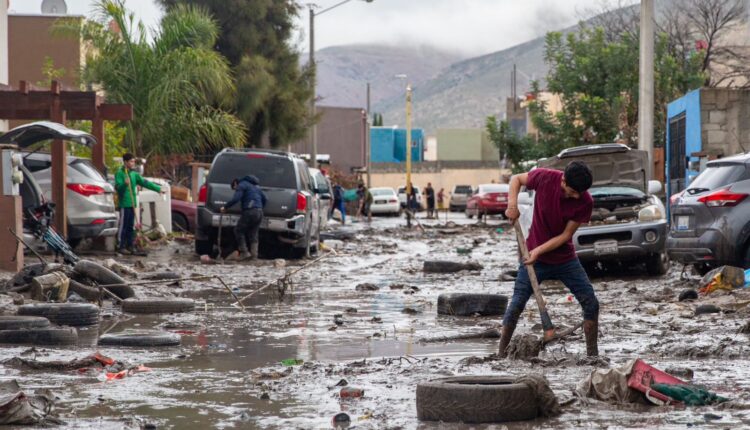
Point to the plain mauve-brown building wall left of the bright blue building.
(341, 134)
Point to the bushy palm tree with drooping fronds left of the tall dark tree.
(178, 85)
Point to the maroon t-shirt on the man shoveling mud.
(552, 211)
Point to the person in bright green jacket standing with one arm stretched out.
(127, 182)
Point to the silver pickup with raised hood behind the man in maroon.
(628, 223)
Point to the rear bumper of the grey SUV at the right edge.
(711, 247)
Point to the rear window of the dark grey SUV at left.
(272, 171)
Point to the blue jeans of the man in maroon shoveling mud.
(571, 274)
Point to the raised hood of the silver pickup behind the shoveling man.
(611, 164)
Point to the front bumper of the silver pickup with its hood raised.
(630, 237)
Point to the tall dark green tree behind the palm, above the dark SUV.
(273, 93)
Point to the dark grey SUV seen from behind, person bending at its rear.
(290, 217)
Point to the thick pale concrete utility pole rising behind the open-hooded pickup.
(646, 92)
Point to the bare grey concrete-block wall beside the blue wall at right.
(725, 121)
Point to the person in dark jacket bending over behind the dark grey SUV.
(248, 193)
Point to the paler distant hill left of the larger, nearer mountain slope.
(343, 72)
